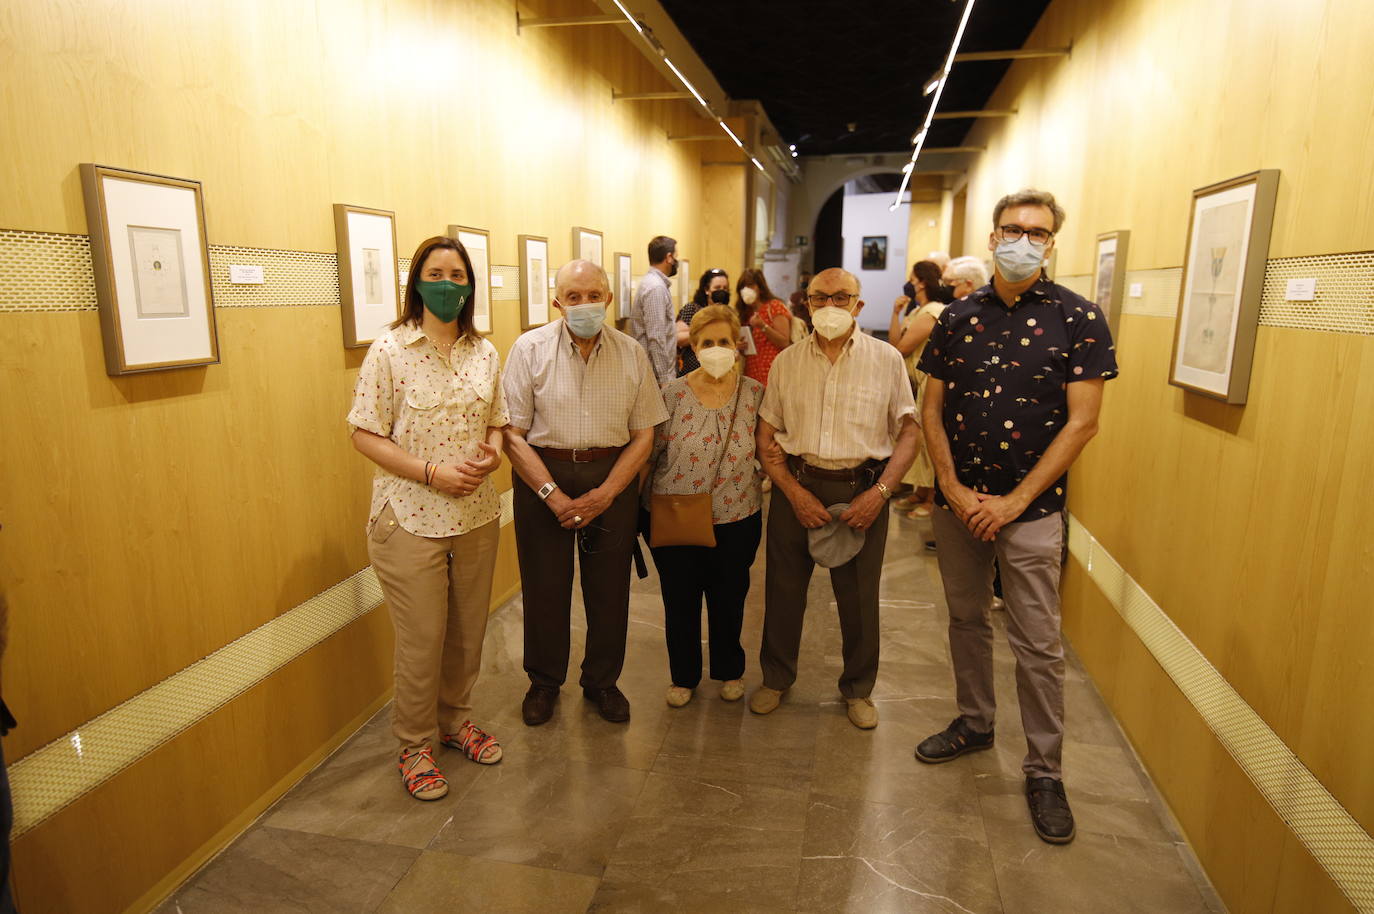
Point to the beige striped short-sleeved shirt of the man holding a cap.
(839, 416)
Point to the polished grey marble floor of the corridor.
(711, 809)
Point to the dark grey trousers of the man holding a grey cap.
(855, 583)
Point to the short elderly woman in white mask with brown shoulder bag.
(707, 449)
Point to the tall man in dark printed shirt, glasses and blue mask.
(1016, 383)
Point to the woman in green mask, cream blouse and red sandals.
(428, 410)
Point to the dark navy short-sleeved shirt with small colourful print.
(1006, 372)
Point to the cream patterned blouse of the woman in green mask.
(439, 410)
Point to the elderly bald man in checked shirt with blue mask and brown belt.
(583, 402)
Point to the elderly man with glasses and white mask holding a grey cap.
(836, 428)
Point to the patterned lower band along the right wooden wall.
(1317, 818)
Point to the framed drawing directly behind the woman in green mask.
(369, 285)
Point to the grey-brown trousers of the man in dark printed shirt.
(1028, 556)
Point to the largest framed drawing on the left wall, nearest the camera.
(152, 266)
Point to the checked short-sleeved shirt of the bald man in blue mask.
(568, 403)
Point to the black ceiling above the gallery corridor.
(821, 65)
